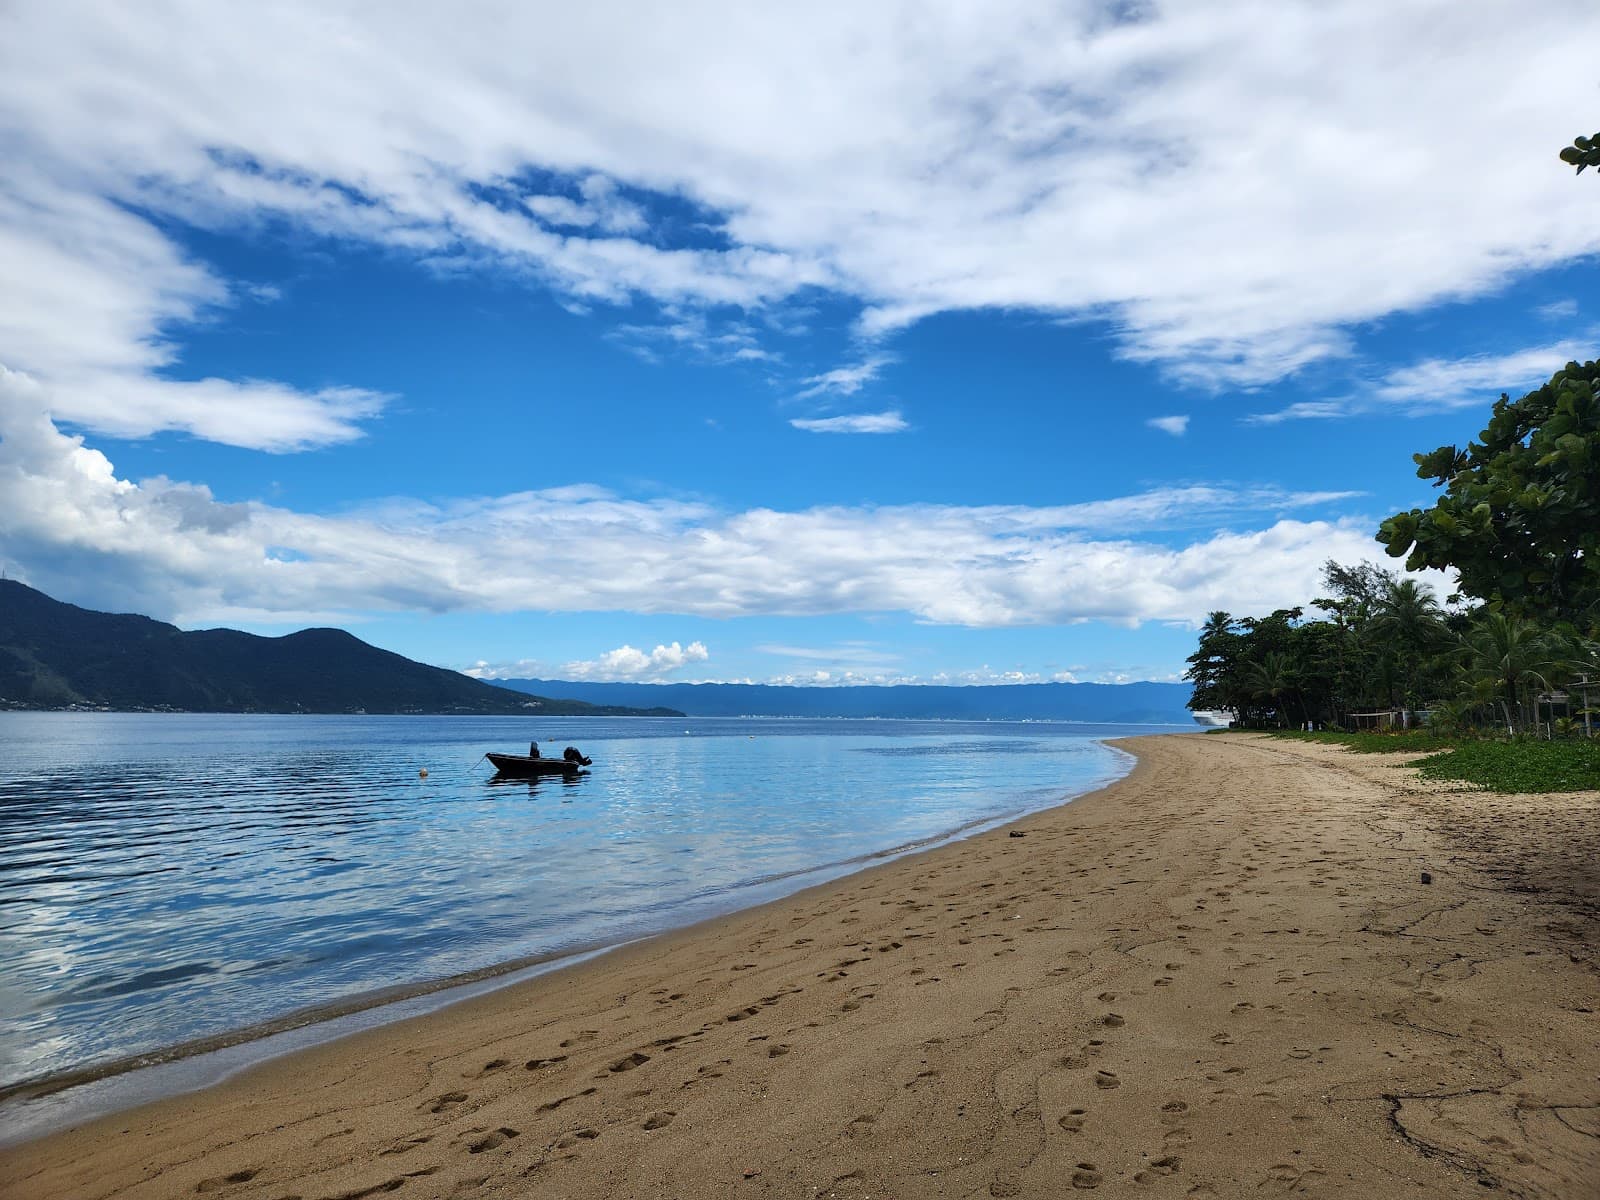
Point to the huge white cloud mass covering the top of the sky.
(1231, 188)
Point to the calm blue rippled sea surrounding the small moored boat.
(174, 878)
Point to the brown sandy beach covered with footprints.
(1249, 969)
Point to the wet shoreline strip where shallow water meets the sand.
(330, 1022)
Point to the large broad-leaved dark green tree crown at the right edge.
(1521, 516)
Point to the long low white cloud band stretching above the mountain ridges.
(172, 550)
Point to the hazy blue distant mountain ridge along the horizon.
(1114, 703)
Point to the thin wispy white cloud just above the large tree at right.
(1444, 385)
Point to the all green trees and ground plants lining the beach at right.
(1503, 678)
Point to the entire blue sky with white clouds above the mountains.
(924, 343)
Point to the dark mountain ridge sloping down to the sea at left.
(57, 655)
